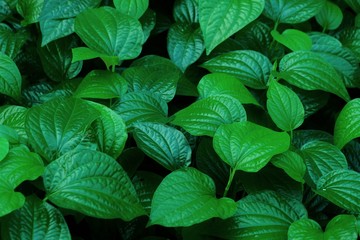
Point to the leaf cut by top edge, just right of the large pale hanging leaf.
(292, 11)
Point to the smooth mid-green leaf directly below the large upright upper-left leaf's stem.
(102, 85)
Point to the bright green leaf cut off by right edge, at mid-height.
(347, 126)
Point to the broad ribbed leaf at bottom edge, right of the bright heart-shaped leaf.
(263, 215)
